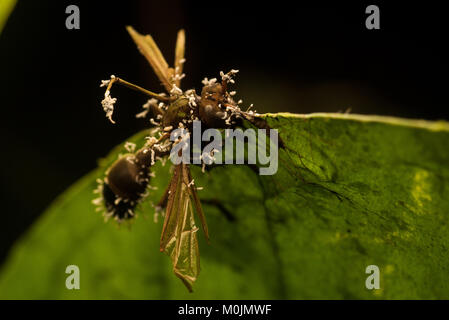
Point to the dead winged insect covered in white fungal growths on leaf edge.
(127, 180)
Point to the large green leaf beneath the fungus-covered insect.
(351, 191)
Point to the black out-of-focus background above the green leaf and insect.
(298, 58)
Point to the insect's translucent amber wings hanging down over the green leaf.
(179, 232)
